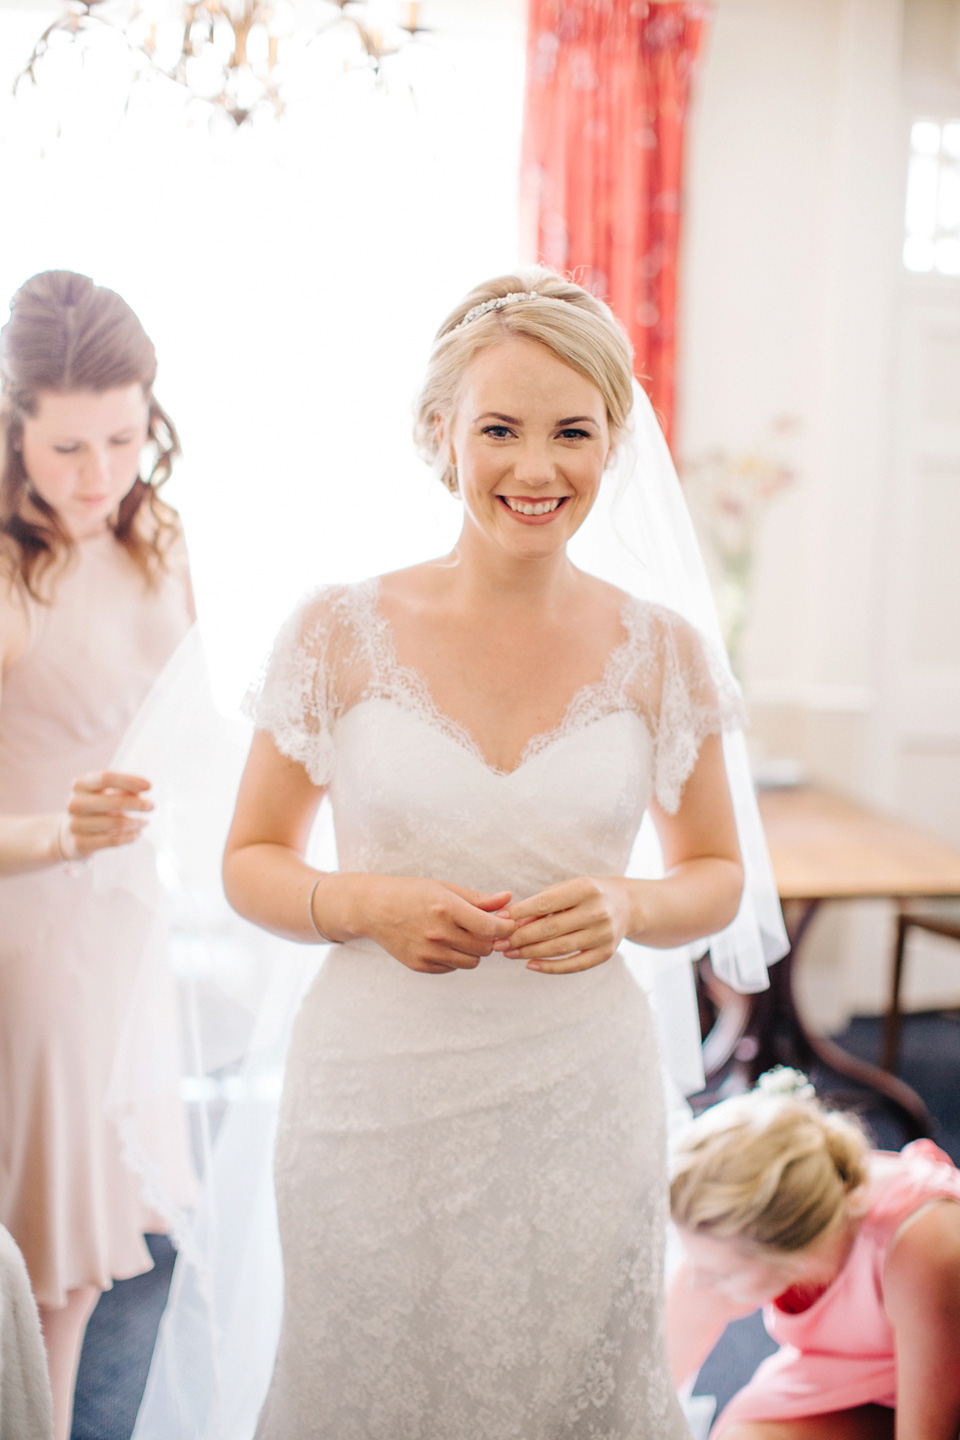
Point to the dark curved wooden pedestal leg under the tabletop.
(776, 1035)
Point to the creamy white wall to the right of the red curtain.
(794, 302)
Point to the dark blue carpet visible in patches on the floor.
(123, 1330)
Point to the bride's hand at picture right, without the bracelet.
(572, 927)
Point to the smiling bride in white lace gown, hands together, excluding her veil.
(470, 1160)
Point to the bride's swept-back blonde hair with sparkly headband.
(571, 322)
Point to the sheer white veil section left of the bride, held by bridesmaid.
(215, 1000)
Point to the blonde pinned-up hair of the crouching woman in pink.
(768, 1171)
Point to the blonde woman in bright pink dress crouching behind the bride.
(853, 1254)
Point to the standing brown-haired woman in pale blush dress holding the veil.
(94, 600)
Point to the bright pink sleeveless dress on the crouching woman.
(840, 1353)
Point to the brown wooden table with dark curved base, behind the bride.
(828, 847)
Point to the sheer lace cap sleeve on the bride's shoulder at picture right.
(689, 695)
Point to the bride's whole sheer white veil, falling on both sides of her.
(237, 990)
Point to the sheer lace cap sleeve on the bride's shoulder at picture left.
(322, 663)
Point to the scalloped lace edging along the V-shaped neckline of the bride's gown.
(415, 682)
